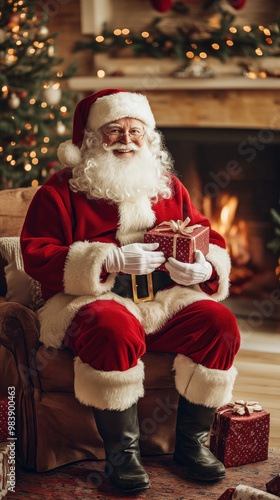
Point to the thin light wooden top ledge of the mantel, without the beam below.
(158, 82)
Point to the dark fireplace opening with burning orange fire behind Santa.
(233, 177)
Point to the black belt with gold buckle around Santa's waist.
(137, 287)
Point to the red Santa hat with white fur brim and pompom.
(100, 108)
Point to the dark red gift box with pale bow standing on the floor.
(240, 433)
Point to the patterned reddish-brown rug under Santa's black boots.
(85, 480)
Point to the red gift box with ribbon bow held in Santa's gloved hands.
(179, 240)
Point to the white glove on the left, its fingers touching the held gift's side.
(136, 258)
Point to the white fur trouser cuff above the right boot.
(201, 385)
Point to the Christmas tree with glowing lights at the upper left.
(36, 110)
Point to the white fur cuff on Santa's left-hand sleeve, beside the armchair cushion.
(83, 268)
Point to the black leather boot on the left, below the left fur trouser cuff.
(120, 433)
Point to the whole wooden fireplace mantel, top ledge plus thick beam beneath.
(235, 102)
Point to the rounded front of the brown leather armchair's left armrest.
(19, 341)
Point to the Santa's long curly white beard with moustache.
(103, 175)
